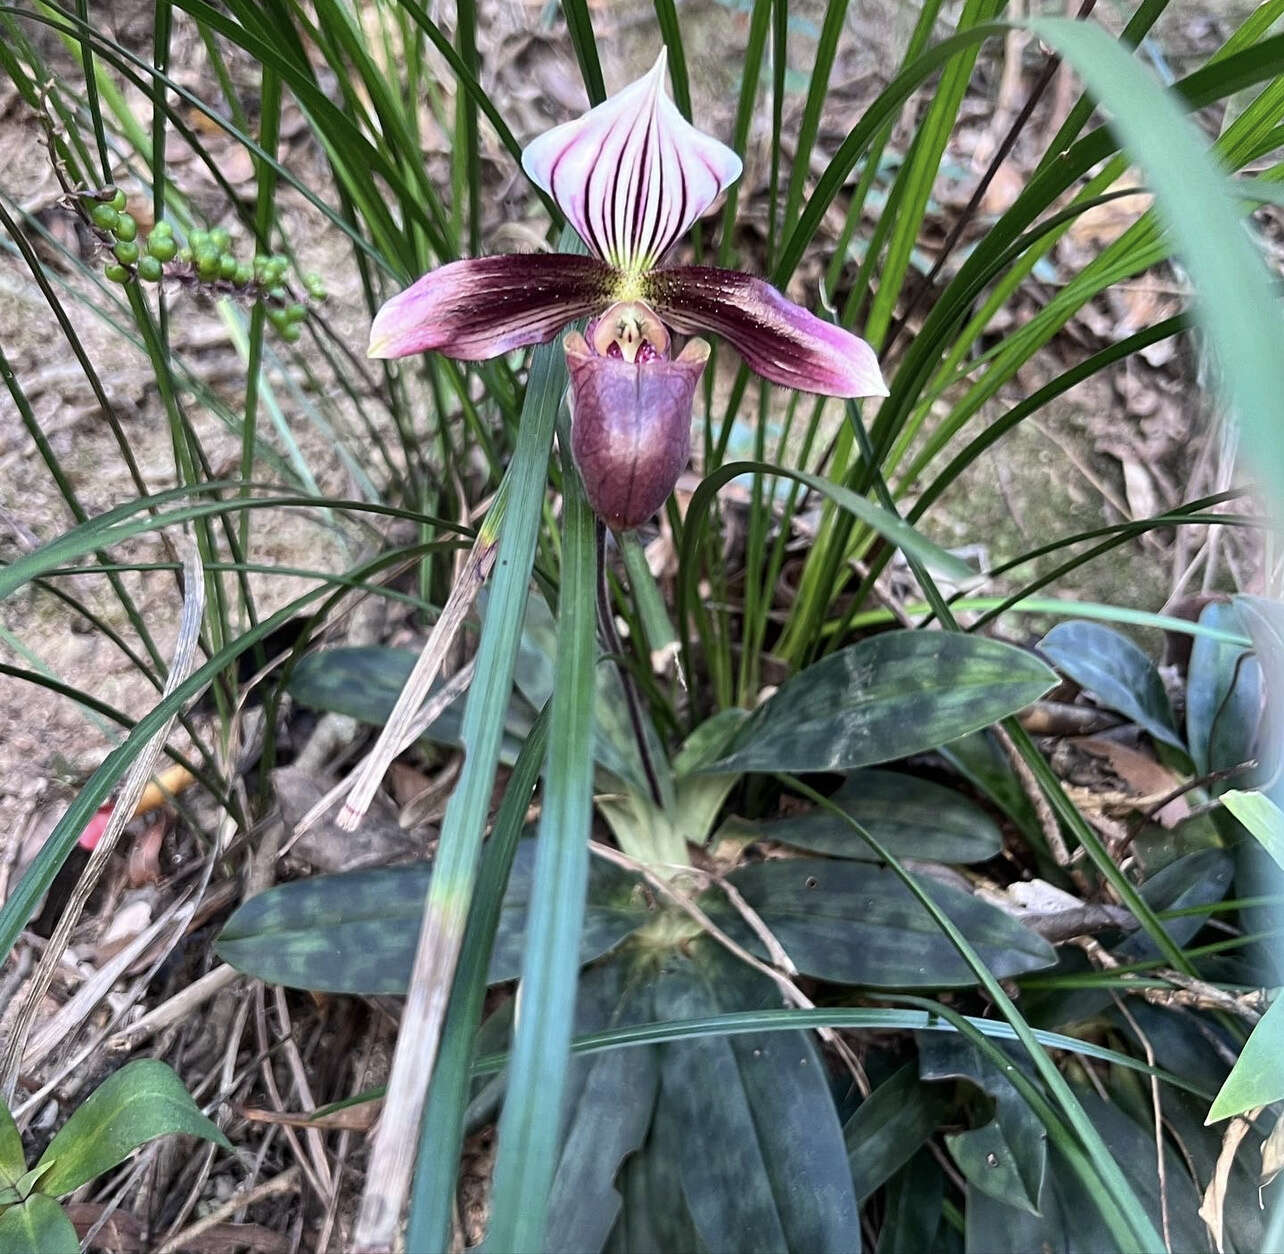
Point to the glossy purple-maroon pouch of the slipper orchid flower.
(631, 428)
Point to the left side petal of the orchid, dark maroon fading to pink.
(480, 309)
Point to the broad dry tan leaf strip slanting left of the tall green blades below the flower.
(367, 780)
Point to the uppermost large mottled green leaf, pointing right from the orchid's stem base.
(887, 698)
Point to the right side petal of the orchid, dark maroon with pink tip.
(777, 338)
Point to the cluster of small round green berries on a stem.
(206, 259)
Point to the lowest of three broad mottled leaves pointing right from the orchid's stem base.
(855, 923)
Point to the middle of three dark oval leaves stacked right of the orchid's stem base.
(915, 818)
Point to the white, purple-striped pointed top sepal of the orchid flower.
(634, 174)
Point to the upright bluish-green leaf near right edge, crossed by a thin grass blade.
(1224, 695)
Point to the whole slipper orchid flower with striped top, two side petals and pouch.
(632, 176)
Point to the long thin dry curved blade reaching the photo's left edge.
(137, 780)
